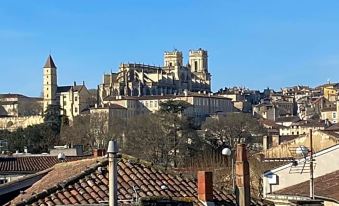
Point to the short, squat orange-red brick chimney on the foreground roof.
(205, 186)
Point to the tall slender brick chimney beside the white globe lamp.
(242, 176)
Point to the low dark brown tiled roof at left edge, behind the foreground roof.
(30, 164)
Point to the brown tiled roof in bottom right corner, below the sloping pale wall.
(325, 186)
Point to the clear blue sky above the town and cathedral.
(253, 43)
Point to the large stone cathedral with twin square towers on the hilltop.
(172, 78)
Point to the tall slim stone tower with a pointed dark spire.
(50, 83)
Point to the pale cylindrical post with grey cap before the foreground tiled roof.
(112, 152)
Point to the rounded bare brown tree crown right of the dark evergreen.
(231, 129)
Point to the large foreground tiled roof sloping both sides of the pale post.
(89, 185)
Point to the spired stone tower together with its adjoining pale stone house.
(71, 99)
